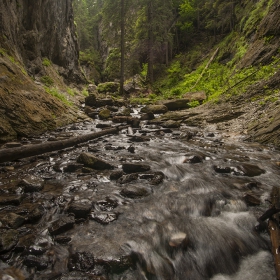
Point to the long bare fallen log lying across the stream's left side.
(11, 154)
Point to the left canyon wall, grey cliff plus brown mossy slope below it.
(31, 32)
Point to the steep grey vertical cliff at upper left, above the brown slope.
(32, 30)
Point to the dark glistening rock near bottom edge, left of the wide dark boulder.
(81, 261)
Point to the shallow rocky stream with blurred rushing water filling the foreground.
(176, 204)
